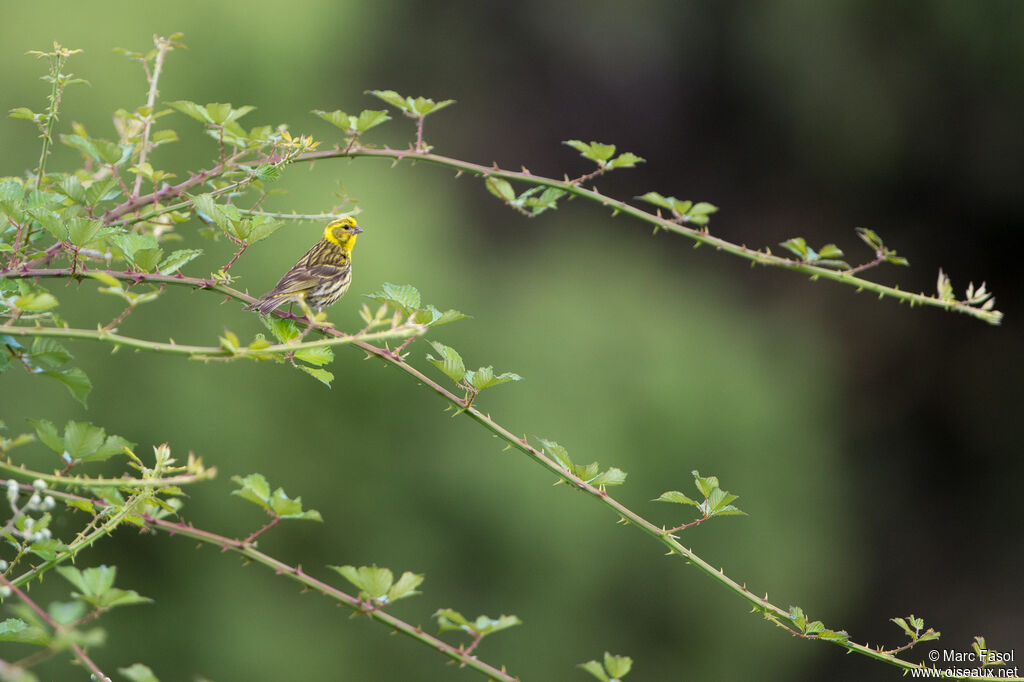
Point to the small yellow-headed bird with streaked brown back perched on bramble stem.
(321, 277)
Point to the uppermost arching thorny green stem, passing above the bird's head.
(755, 257)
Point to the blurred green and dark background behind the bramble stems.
(876, 449)
